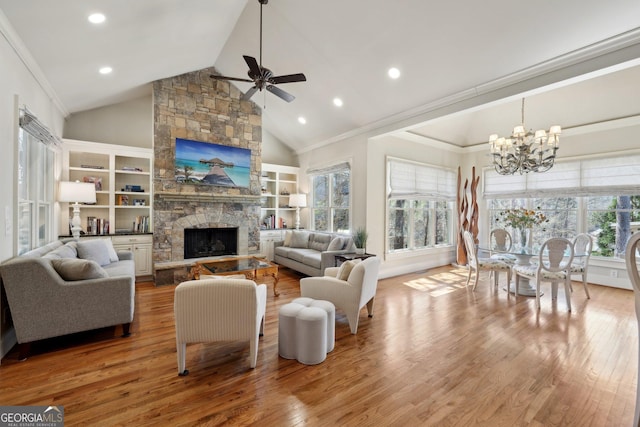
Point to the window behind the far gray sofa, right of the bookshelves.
(331, 201)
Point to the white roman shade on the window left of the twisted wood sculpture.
(411, 180)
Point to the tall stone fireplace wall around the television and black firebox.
(194, 106)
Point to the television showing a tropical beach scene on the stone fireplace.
(212, 164)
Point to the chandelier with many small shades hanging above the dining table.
(525, 151)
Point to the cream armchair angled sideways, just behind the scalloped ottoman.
(347, 295)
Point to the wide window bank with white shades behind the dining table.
(595, 196)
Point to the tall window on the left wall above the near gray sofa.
(35, 192)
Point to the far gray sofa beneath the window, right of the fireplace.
(310, 252)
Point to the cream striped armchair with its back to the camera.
(219, 310)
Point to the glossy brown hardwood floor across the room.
(435, 353)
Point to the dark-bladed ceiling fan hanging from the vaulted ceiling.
(262, 77)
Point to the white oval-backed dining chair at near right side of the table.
(554, 265)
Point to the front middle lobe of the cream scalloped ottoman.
(311, 335)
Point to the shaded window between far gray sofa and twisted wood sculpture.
(420, 206)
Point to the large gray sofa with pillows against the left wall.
(60, 289)
